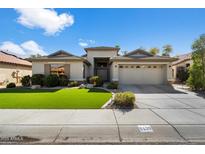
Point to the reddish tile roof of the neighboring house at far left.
(12, 59)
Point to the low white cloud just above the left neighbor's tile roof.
(22, 50)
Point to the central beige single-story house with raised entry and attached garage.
(136, 67)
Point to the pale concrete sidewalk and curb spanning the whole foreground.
(168, 126)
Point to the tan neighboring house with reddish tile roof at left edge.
(13, 68)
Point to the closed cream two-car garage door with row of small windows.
(141, 74)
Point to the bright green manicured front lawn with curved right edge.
(53, 99)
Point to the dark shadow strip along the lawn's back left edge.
(27, 90)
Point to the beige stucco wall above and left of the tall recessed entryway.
(101, 54)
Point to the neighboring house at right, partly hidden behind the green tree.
(183, 63)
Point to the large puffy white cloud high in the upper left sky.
(47, 19)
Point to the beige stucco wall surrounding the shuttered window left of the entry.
(76, 69)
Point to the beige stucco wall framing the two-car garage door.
(166, 68)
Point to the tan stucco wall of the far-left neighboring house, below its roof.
(6, 71)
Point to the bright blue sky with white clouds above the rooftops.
(130, 28)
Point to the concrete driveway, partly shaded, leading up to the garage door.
(164, 97)
